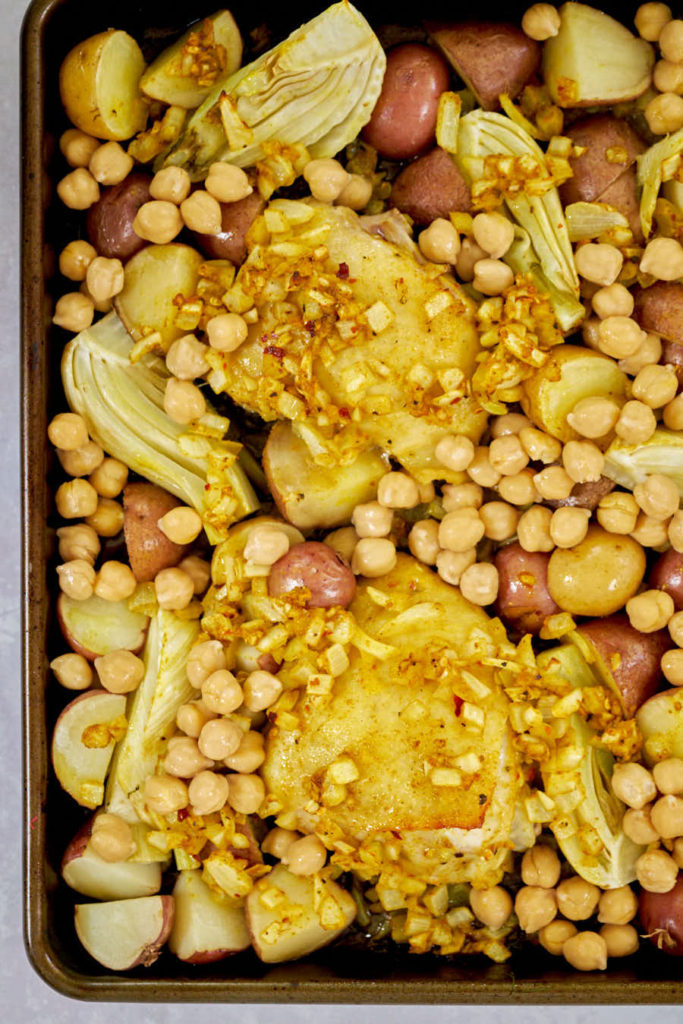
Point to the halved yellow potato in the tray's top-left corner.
(100, 86)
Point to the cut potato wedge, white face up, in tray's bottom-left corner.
(125, 933)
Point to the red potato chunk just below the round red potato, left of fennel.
(432, 187)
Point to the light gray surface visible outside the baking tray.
(23, 996)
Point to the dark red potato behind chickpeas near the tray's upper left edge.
(110, 224)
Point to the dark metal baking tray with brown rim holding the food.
(347, 973)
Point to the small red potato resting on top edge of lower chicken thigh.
(318, 568)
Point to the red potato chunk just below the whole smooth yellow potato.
(633, 658)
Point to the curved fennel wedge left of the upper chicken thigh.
(123, 406)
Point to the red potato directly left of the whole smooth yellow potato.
(524, 601)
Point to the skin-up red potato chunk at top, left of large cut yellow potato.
(491, 58)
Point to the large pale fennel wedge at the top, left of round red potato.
(318, 89)
